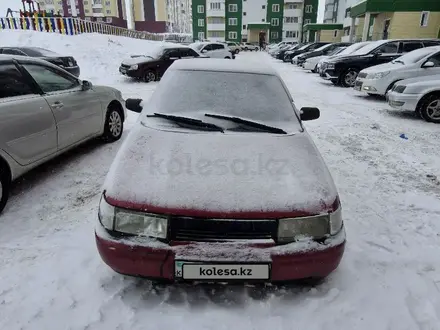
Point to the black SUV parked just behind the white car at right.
(343, 70)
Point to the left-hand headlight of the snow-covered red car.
(132, 222)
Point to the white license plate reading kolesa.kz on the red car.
(221, 271)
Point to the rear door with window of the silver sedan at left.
(28, 131)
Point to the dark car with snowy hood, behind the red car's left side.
(151, 67)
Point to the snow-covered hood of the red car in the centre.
(220, 173)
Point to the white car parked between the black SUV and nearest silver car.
(381, 78)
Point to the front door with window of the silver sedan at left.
(78, 113)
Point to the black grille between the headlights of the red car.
(208, 230)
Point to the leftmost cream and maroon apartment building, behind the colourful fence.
(108, 11)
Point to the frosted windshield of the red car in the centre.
(256, 97)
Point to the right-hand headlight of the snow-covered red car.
(316, 227)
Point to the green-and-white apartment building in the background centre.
(244, 20)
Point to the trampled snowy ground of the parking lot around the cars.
(51, 276)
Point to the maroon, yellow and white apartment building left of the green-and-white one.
(160, 16)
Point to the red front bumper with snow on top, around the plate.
(156, 260)
